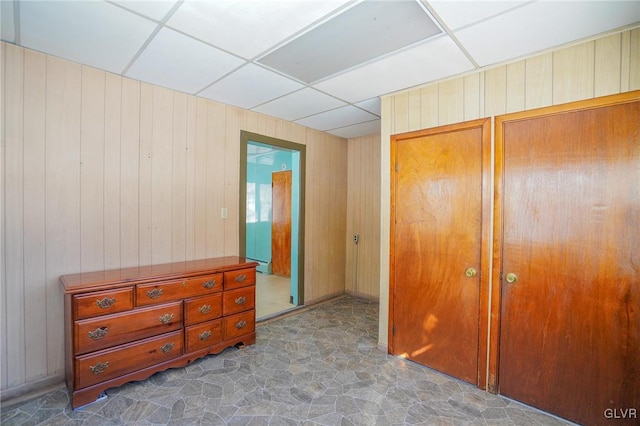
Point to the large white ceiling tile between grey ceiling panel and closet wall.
(427, 62)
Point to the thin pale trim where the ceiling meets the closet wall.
(635, 25)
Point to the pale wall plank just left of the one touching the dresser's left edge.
(34, 208)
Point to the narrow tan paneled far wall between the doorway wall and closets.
(363, 217)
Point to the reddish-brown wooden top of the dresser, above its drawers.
(113, 278)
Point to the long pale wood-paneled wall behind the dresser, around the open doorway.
(101, 171)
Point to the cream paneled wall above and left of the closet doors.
(607, 65)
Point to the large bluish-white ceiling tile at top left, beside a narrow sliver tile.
(93, 33)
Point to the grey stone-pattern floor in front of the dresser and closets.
(320, 366)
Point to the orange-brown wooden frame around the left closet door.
(485, 243)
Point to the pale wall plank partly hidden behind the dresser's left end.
(63, 115)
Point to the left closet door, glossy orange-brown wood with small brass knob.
(436, 249)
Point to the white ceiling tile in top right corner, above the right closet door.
(543, 25)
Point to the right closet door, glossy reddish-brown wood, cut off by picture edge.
(570, 320)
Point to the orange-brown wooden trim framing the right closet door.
(498, 206)
